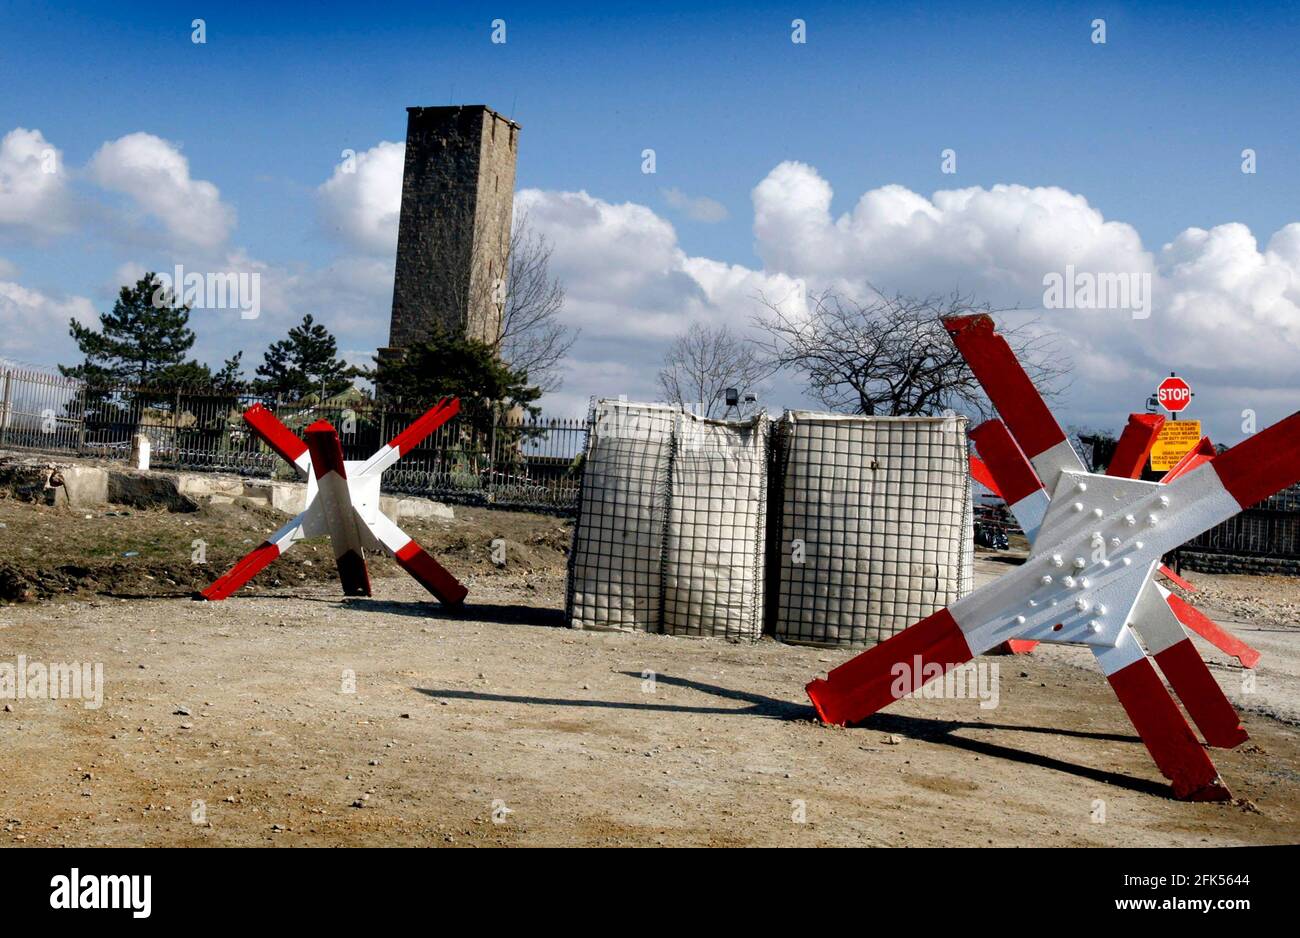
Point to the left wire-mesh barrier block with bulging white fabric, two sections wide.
(671, 524)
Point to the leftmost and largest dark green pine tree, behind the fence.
(144, 341)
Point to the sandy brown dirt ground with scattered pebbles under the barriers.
(292, 716)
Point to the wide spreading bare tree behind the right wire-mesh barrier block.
(892, 357)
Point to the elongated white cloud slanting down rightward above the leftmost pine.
(157, 177)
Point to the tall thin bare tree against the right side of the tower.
(531, 337)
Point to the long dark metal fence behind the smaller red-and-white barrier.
(480, 457)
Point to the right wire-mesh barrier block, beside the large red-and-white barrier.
(876, 528)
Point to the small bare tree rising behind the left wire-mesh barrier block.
(704, 362)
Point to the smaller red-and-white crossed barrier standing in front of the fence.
(344, 503)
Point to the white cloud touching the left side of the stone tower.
(361, 203)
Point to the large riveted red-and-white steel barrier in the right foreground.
(1090, 575)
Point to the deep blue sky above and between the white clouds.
(1147, 128)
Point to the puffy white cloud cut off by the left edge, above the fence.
(34, 197)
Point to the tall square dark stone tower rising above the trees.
(458, 194)
